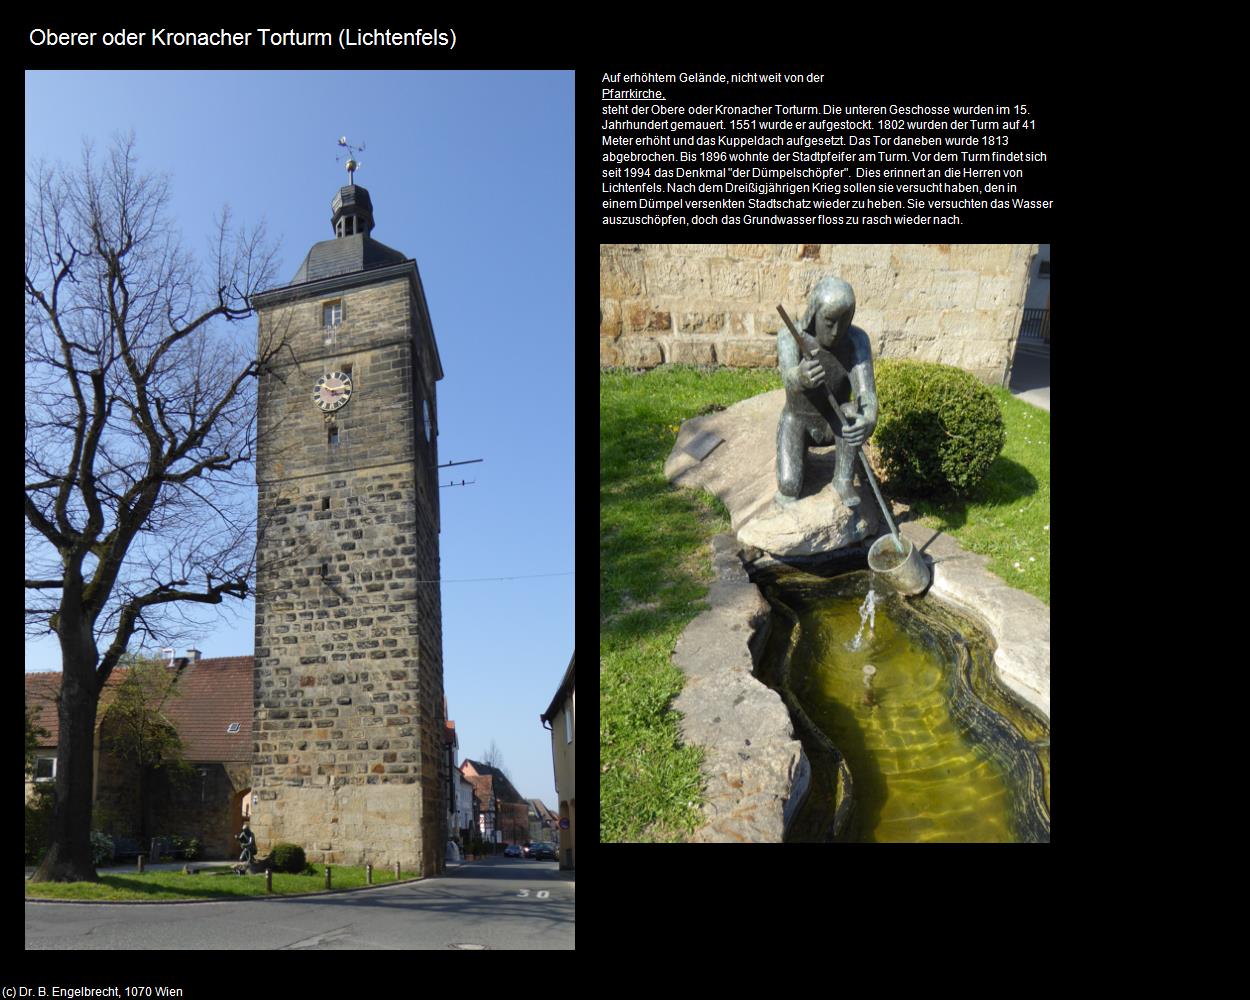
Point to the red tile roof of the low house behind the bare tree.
(213, 694)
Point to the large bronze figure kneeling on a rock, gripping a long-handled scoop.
(843, 363)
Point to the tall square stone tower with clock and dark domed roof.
(349, 642)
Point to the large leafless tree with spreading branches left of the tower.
(139, 438)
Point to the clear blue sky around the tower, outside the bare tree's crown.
(472, 176)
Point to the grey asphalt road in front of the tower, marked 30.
(504, 903)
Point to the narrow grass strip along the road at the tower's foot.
(157, 887)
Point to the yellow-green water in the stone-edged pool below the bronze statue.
(929, 762)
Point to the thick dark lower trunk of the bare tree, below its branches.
(69, 859)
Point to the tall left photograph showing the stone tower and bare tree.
(274, 326)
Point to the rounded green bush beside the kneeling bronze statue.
(939, 432)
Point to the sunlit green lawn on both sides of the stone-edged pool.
(656, 569)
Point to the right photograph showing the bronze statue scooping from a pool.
(826, 543)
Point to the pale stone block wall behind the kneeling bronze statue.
(704, 304)
